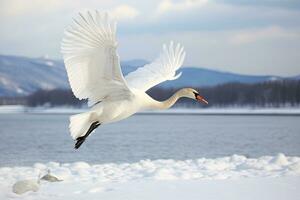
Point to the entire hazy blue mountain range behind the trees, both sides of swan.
(22, 76)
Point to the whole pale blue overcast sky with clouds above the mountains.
(244, 36)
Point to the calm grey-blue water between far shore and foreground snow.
(31, 138)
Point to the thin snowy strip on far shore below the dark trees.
(203, 111)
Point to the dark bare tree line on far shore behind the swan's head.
(265, 94)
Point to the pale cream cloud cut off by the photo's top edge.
(169, 5)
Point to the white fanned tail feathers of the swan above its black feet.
(79, 124)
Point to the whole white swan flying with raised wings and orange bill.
(89, 49)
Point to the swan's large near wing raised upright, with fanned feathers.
(90, 56)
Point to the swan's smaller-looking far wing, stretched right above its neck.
(162, 69)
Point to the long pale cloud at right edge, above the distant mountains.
(267, 33)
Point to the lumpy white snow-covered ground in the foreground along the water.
(234, 177)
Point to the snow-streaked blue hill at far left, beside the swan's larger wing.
(22, 76)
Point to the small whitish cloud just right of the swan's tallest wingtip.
(124, 12)
